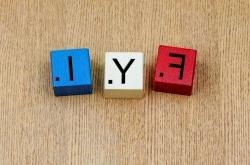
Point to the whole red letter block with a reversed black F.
(174, 70)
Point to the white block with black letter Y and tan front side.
(123, 75)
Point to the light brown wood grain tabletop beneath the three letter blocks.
(210, 127)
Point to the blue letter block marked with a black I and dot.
(71, 72)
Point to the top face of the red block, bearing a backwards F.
(175, 65)
